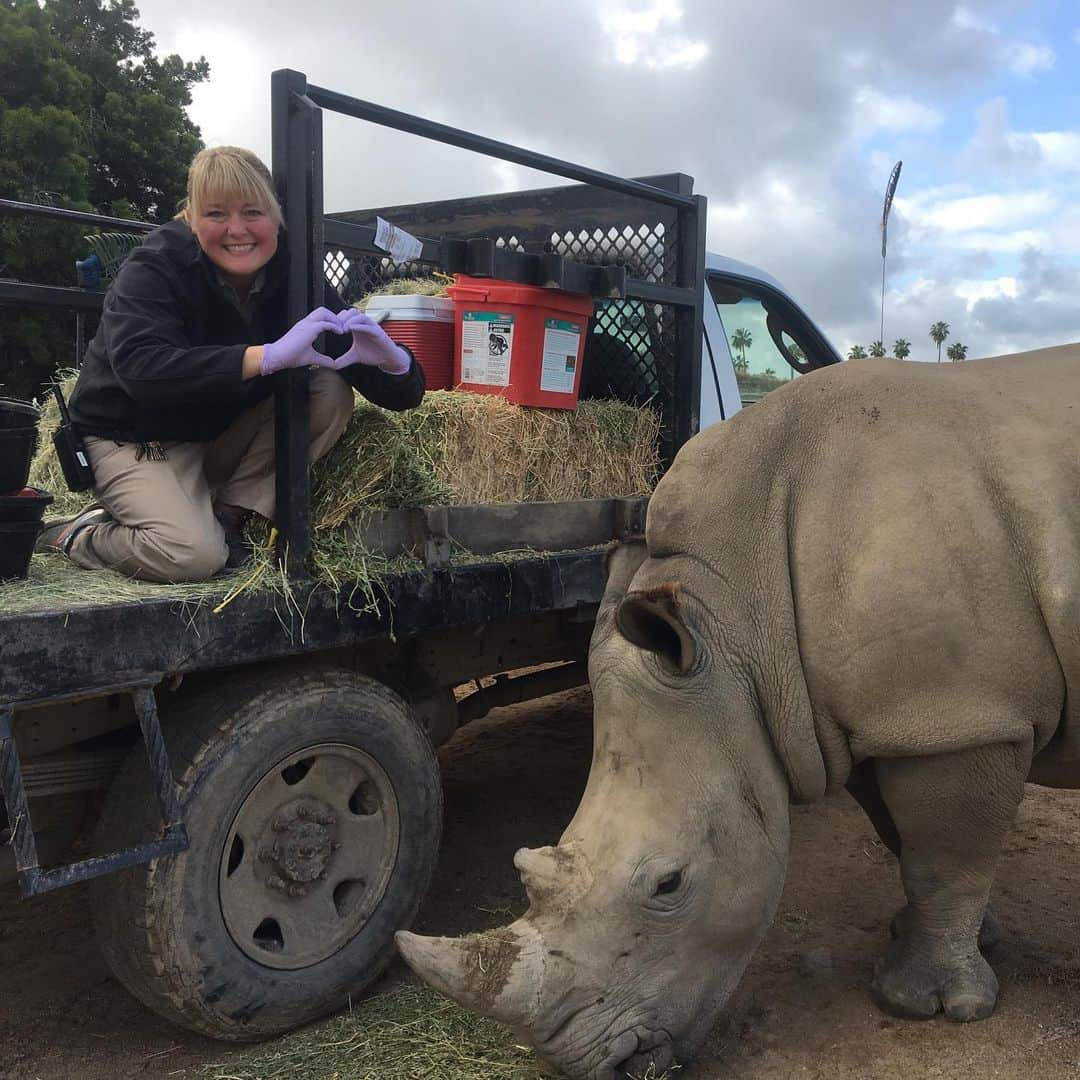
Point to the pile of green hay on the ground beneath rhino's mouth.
(408, 1034)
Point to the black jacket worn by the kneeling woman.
(166, 364)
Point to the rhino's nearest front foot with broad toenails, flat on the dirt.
(921, 977)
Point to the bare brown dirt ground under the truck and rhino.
(803, 1009)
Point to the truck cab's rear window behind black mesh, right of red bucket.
(619, 360)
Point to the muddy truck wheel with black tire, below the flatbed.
(288, 899)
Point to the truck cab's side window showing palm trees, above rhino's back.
(768, 347)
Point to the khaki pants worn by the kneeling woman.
(164, 526)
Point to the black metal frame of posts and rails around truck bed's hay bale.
(296, 127)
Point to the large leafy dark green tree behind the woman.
(90, 119)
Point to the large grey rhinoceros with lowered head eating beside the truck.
(871, 578)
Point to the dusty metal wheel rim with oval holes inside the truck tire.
(309, 856)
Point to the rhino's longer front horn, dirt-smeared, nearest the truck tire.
(498, 974)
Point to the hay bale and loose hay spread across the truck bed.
(455, 449)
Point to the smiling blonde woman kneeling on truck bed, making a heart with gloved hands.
(174, 399)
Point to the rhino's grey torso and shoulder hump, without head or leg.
(925, 521)
